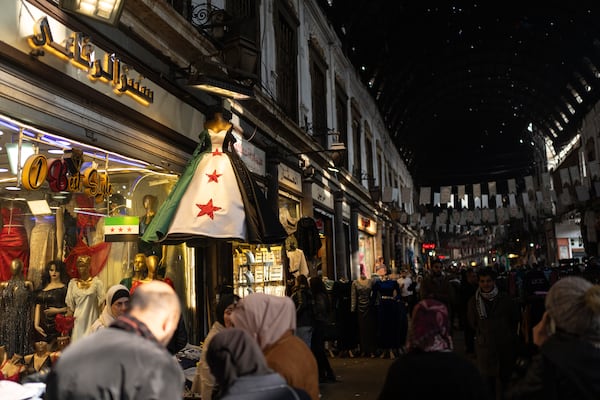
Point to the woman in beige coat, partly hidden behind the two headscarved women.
(204, 381)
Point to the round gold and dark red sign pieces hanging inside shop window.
(66, 174)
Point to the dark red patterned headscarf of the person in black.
(430, 327)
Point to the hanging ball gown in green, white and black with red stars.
(215, 198)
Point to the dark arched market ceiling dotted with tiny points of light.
(458, 82)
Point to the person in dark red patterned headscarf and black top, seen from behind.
(431, 366)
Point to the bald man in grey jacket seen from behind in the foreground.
(127, 360)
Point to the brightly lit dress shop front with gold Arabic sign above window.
(95, 148)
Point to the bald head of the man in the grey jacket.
(156, 304)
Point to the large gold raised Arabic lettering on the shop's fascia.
(80, 51)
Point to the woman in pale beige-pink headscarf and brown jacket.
(271, 320)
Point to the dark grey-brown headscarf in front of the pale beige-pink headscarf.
(233, 353)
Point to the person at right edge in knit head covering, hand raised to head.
(567, 365)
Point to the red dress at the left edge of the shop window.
(13, 241)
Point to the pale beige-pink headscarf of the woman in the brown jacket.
(265, 317)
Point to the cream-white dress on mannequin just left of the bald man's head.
(85, 304)
